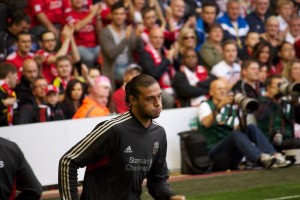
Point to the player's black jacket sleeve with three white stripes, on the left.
(84, 152)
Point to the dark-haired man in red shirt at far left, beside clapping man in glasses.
(22, 53)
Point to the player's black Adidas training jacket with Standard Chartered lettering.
(118, 154)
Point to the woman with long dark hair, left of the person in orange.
(74, 95)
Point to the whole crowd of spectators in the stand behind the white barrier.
(64, 59)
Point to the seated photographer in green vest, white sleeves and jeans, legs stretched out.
(226, 144)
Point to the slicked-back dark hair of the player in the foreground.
(132, 86)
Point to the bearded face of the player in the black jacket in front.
(148, 104)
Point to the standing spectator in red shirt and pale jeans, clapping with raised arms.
(87, 25)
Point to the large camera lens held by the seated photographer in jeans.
(245, 103)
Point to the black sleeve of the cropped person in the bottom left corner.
(26, 181)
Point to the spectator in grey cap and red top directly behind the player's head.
(118, 97)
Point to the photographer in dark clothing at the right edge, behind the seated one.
(276, 115)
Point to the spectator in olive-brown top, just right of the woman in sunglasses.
(211, 51)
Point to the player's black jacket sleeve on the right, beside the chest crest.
(158, 175)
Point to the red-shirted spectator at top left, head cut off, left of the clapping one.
(47, 15)
